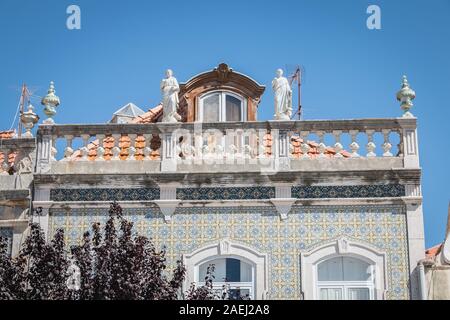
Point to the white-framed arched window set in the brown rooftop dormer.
(221, 106)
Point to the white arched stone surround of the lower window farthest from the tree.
(342, 247)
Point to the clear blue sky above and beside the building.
(123, 48)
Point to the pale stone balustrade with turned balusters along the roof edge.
(228, 146)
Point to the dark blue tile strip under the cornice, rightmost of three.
(354, 191)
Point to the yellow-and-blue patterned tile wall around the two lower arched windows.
(381, 226)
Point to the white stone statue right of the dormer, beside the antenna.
(283, 97)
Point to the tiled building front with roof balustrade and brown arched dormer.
(286, 209)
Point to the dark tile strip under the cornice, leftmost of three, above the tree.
(104, 194)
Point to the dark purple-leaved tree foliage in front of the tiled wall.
(113, 263)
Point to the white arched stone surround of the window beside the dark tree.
(229, 249)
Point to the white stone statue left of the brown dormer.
(169, 90)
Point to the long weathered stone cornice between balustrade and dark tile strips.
(401, 176)
